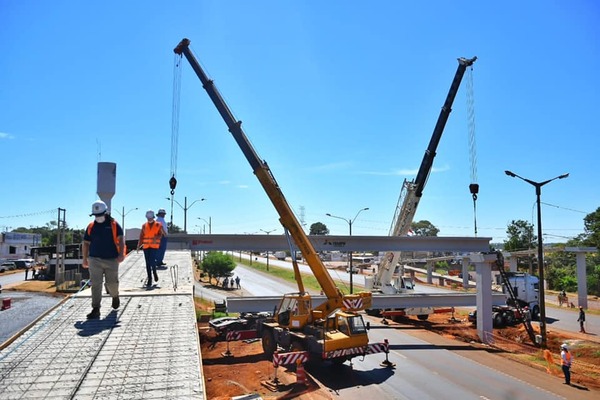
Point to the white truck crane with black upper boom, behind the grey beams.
(410, 195)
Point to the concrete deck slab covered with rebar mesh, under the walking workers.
(148, 348)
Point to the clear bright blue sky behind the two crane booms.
(339, 97)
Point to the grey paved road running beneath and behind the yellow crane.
(428, 366)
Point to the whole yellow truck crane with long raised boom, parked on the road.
(333, 330)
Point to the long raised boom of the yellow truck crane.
(335, 299)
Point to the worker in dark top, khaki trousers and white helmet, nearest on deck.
(103, 250)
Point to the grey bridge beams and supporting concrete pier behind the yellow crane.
(474, 249)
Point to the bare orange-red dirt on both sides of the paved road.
(246, 370)
